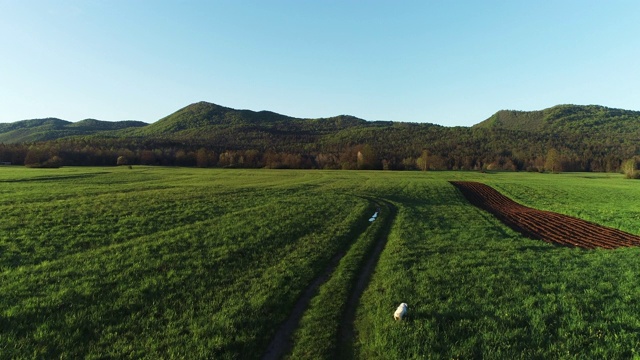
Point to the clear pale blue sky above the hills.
(446, 62)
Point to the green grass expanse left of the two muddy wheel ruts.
(160, 262)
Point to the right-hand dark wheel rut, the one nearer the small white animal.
(346, 333)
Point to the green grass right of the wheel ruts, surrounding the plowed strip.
(476, 289)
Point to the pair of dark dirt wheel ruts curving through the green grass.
(281, 342)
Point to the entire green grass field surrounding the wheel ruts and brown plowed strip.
(198, 263)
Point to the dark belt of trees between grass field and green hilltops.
(393, 148)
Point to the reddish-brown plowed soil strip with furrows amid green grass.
(544, 225)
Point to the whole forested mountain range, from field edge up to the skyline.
(561, 138)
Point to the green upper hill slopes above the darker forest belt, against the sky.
(203, 119)
